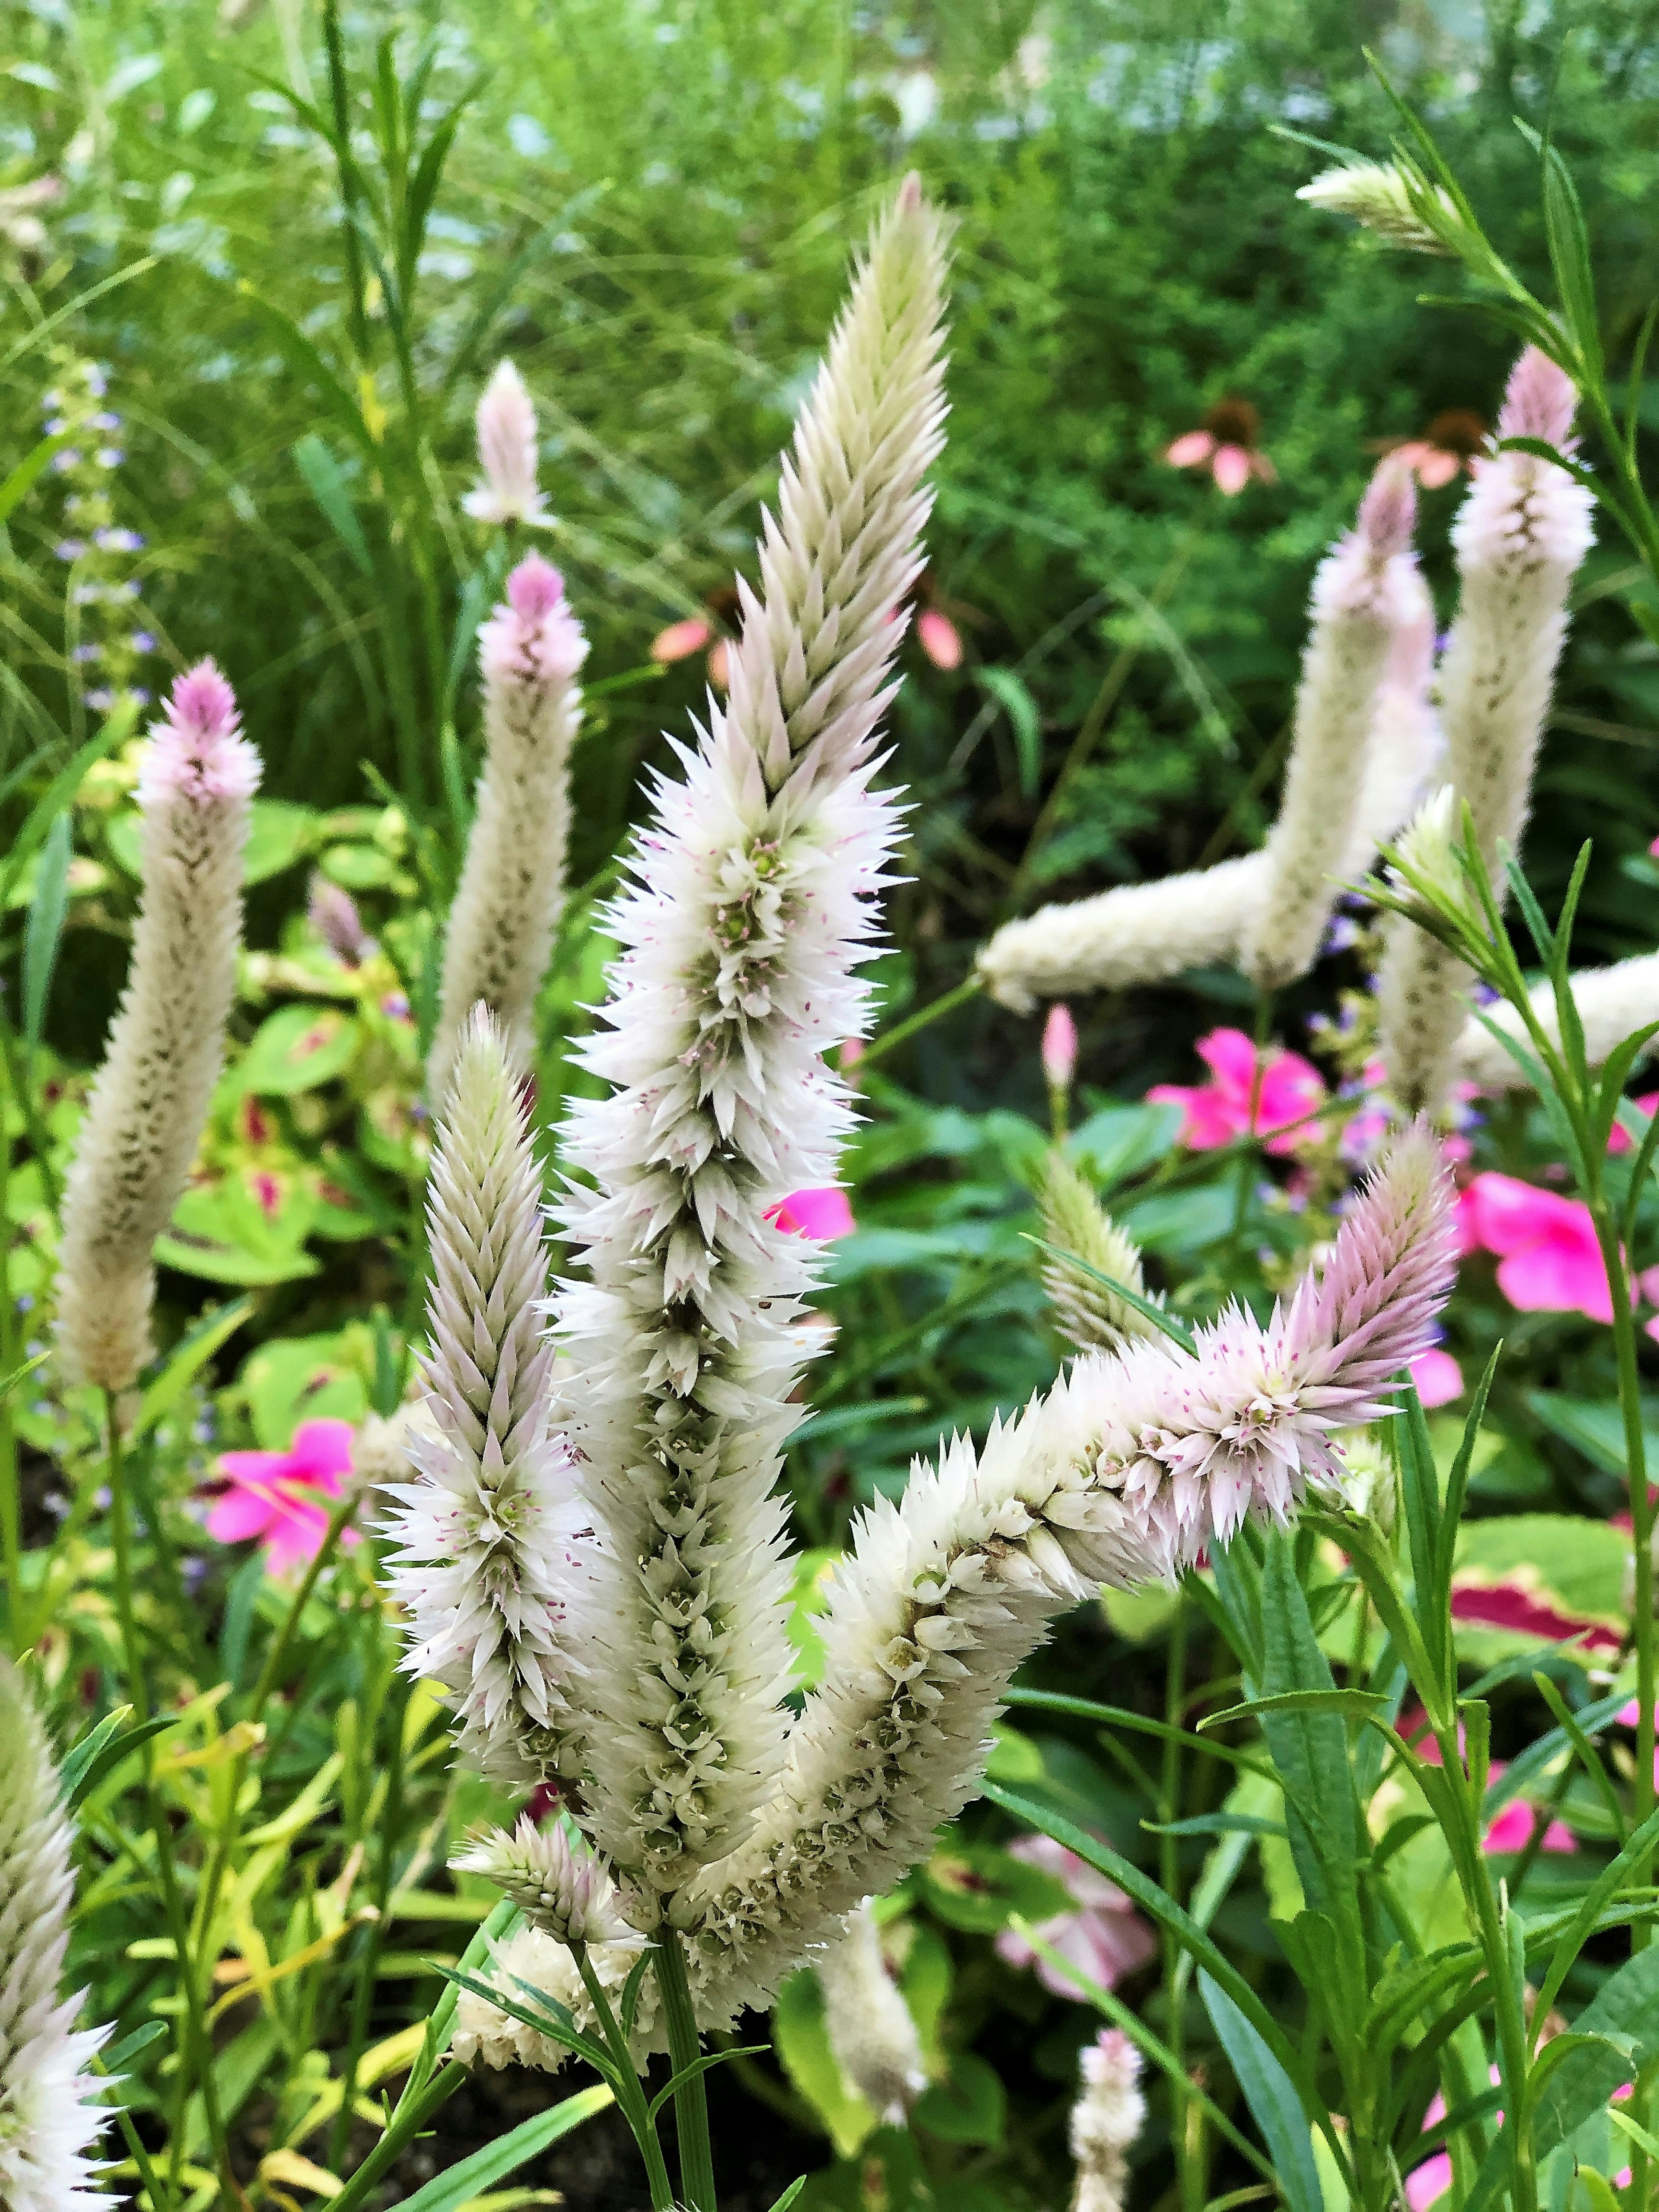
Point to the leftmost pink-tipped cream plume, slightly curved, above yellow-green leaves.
(167, 1043)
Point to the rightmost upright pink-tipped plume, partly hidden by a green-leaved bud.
(1521, 536)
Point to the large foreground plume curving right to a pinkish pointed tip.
(1131, 1468)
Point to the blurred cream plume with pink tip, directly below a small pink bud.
(512, 881)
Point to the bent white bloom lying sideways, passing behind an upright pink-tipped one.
(1147, 932)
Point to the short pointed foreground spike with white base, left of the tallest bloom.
(492, 1545)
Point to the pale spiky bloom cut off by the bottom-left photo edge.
(48, 2111)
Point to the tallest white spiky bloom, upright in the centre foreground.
(751, 908)
